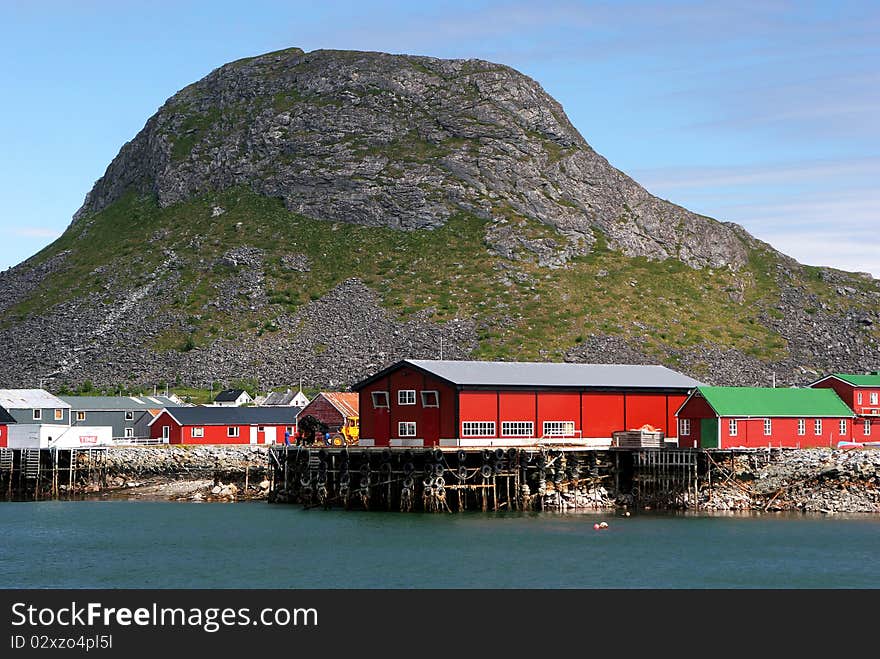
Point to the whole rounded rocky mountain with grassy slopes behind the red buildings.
(320, 215)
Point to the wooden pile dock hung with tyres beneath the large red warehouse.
(489, 479)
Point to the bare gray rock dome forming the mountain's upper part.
(401, 141)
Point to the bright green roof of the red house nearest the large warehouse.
(764, 401)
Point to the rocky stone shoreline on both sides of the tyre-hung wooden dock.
(806, 480)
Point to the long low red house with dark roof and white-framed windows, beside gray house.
(224, 425)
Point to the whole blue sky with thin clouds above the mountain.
(762, 113)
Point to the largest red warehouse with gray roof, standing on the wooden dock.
(471, 403)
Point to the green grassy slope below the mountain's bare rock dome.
(524, 311)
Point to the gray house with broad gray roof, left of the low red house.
(129, 416)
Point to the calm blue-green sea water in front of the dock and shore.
(128, 544)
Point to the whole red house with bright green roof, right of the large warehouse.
(726, 417)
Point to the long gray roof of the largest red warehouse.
(537, 374)
